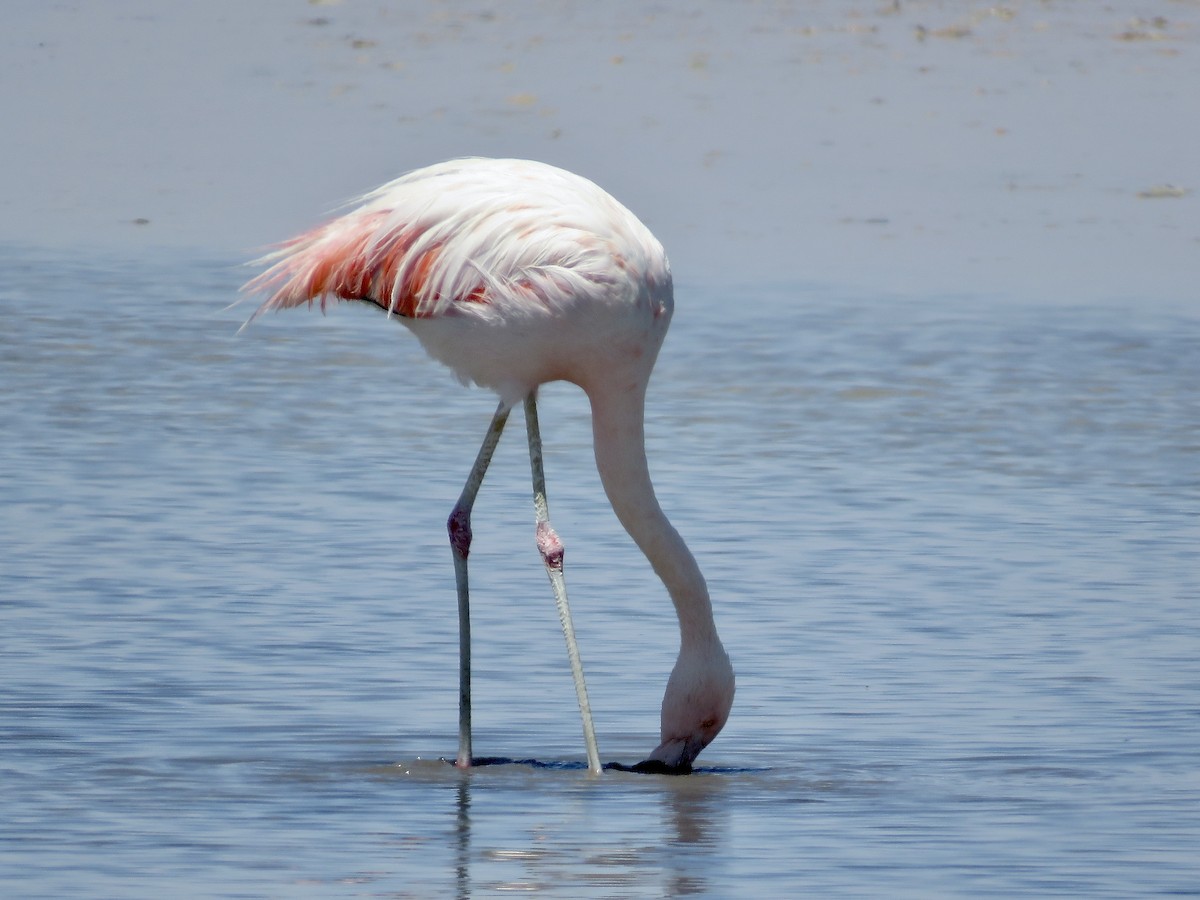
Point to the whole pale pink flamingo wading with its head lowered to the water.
(515, 274)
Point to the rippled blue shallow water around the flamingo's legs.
(952, 543)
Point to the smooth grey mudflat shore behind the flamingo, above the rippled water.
(1025, 149)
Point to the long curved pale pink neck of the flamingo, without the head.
(619, 436)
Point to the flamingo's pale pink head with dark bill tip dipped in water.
(695, 709)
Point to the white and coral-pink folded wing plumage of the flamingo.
(471, 232)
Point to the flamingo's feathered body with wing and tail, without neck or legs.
(512, 273)
